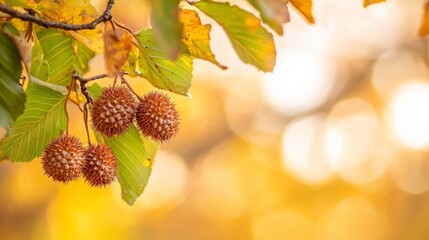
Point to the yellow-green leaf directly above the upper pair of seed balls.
(150, 62)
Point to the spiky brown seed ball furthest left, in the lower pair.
(62, 159)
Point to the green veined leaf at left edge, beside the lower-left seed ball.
(42, 120)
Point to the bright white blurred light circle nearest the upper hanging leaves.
(301, 81)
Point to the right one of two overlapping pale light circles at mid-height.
(352, 140)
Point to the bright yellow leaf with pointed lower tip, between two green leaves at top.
(197, 37)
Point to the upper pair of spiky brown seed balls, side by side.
(115, 110)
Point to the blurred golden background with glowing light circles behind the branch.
(332, 145)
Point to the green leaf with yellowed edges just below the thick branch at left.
(55, 56)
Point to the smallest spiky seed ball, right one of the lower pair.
(100, 165)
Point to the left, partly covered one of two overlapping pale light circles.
(303, 150)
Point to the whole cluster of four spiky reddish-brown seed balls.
(65, 158)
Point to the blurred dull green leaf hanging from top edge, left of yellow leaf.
(166, 26)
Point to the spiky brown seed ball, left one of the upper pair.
(114, 111)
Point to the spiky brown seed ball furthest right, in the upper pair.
(157, 117)
